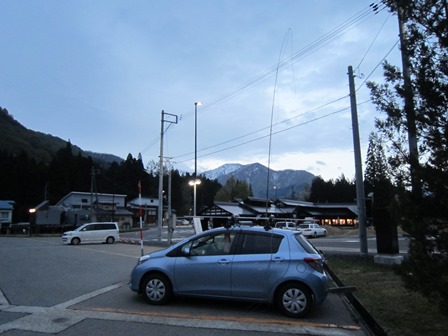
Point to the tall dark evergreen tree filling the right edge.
(418, 111)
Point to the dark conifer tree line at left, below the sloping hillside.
(28, 182)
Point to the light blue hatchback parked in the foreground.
(238, 263)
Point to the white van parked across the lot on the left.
(98, 232)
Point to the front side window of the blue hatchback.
(219, 244)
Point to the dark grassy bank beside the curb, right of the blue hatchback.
(381, 292)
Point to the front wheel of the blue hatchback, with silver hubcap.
(157, 289)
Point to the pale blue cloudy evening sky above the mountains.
(271, 76)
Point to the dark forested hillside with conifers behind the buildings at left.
(35, 167)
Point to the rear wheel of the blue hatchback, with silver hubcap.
(294, 300)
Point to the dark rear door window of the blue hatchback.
(260, 243)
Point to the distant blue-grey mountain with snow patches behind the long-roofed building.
(287, 183)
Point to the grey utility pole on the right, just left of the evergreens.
(360, 194)
